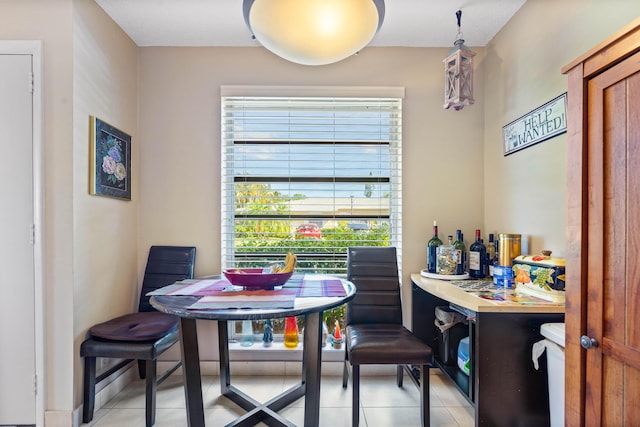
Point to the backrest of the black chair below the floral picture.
(165, 265)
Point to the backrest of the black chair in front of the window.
(374, 272)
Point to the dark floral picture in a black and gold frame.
(110, 163)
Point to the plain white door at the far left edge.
(17, 281)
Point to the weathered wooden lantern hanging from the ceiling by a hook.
(458, 73)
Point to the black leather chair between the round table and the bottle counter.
(374, 331)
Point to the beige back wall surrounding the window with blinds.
(180, 140)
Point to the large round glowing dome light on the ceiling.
(314, 32)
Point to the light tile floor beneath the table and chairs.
(383, 404)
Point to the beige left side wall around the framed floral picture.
(105, 230)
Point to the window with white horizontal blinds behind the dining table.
(311, 175)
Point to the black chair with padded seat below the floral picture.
(140, 336)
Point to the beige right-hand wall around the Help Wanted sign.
(525, 191)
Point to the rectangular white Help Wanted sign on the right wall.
(543, 123)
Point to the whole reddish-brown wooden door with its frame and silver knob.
(603, 235)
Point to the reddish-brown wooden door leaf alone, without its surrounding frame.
(613, 284)
